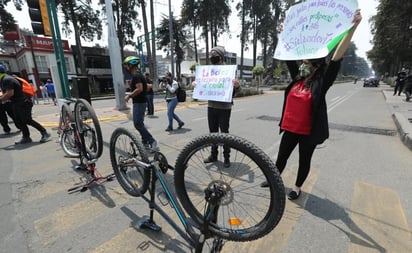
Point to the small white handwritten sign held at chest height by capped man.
(214, 82)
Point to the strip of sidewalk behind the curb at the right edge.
(401, 114)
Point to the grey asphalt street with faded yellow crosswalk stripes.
(356, 198)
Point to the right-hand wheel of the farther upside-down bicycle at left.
(88, 124)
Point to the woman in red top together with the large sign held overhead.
(304, 118)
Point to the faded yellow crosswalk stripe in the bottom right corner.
(379, 223)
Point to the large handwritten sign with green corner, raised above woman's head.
(313, 28)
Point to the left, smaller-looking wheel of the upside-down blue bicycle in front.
(124, 148)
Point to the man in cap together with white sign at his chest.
(217, 84)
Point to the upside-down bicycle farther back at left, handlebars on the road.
(81, 137)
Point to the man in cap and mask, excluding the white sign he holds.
(218, 113)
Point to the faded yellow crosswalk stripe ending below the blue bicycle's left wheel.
(66, 219)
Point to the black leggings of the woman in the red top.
(306, 148)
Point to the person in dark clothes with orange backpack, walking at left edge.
(22, 107)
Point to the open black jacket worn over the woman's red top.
(319, 87)
